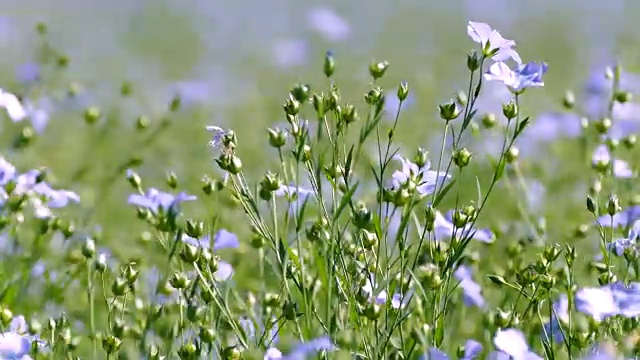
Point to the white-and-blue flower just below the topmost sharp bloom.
(523, 77)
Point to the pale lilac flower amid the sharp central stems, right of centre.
(426, 179)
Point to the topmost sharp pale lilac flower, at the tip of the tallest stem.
(493, 44)
